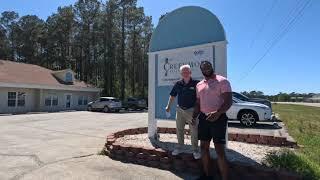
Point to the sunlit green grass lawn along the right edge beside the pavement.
(303, 123)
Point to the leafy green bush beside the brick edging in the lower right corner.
(294, 162)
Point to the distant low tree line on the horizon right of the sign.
(281, 97)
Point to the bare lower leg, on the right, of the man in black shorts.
(222, 161)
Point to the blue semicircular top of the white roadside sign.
(186, 26)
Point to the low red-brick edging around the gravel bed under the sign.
(159, 158)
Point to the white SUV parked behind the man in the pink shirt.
(248, 113)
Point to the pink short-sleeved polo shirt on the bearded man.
(209, 92)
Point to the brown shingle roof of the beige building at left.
(14, 72)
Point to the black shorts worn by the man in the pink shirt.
(213, 130)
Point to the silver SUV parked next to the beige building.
(105, 104)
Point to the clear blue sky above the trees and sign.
(292, 65)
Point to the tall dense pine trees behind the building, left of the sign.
(104, 43)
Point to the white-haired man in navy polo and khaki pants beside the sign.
(185, 89)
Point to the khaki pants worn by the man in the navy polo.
(184, 116)
